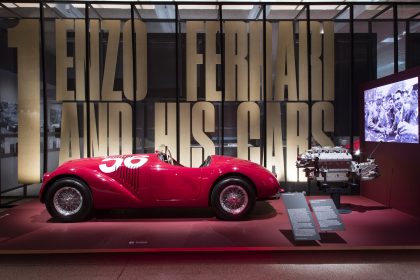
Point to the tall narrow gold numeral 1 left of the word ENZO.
(25, 38)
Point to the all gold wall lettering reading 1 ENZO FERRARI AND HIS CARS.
(288, 106)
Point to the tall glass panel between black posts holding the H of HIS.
(156, 113)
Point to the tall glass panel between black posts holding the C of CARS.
(244, 83)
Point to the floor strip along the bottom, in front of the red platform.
(293, 265)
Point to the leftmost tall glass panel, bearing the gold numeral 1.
(20, 81)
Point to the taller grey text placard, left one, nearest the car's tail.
(300, 217)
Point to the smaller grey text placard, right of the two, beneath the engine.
(327, 215)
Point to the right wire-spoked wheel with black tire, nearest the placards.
(233, 198)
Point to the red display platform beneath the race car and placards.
(28, 228)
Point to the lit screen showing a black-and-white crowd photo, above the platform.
(391, 112)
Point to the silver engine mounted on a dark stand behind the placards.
(335, 165)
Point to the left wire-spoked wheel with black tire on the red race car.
(69, 200)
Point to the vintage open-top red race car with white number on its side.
(229, 185)
